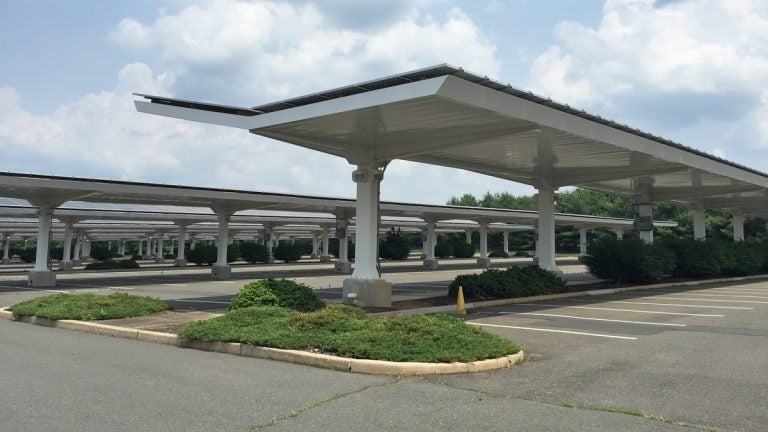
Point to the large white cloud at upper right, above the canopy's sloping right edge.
(672, 67)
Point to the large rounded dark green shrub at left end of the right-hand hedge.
(630, 260)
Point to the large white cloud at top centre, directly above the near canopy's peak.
(255, 51)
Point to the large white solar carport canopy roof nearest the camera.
(445, 116)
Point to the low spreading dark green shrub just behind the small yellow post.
(512, 282)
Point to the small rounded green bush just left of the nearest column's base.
(277, 292)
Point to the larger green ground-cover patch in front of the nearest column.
(347, 331)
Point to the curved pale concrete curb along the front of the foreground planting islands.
(372, 367)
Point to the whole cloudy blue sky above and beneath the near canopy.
(694, 71)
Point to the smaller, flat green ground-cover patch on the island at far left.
(88, 307)
